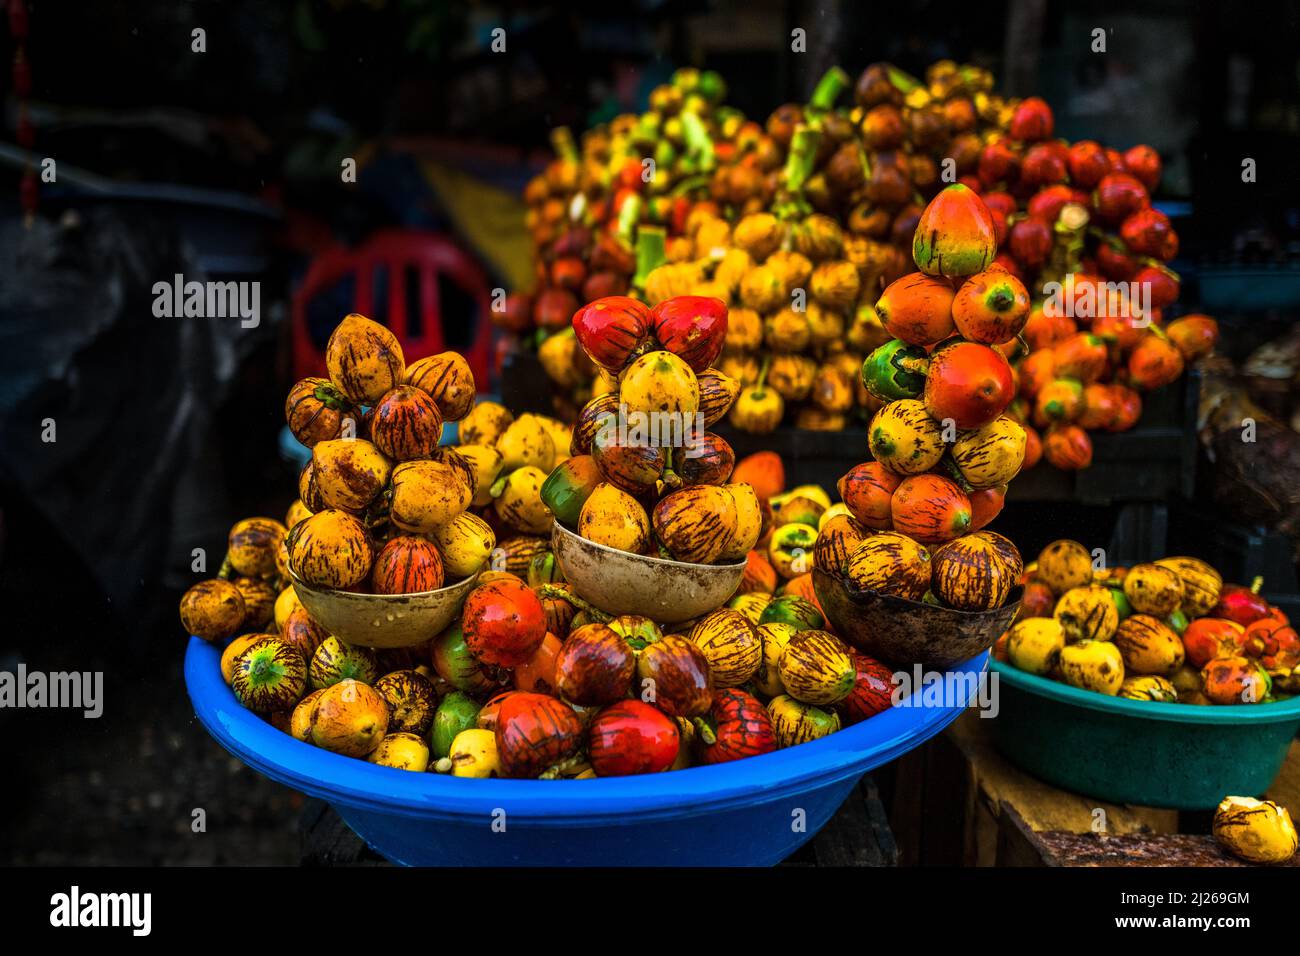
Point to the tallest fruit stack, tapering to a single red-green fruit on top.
(943, 448)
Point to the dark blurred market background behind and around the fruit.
(226, 155)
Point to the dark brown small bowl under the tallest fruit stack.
(908, 633)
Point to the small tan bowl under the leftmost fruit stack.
(384, 621)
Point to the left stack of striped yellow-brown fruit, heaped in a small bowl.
(382, 503)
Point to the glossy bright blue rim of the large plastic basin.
(695, 791)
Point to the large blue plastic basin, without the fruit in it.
(746, 814)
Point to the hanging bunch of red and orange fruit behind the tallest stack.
(1074, 223)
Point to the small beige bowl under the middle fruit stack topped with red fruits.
(623, 583)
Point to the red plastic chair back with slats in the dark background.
(397, 252)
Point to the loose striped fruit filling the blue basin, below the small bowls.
(531, 682)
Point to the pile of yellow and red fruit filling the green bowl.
(1167, 631)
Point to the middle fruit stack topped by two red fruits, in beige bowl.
(645, 474)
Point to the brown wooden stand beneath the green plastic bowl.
(959, 802)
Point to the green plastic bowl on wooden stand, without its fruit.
(1180, 756)
